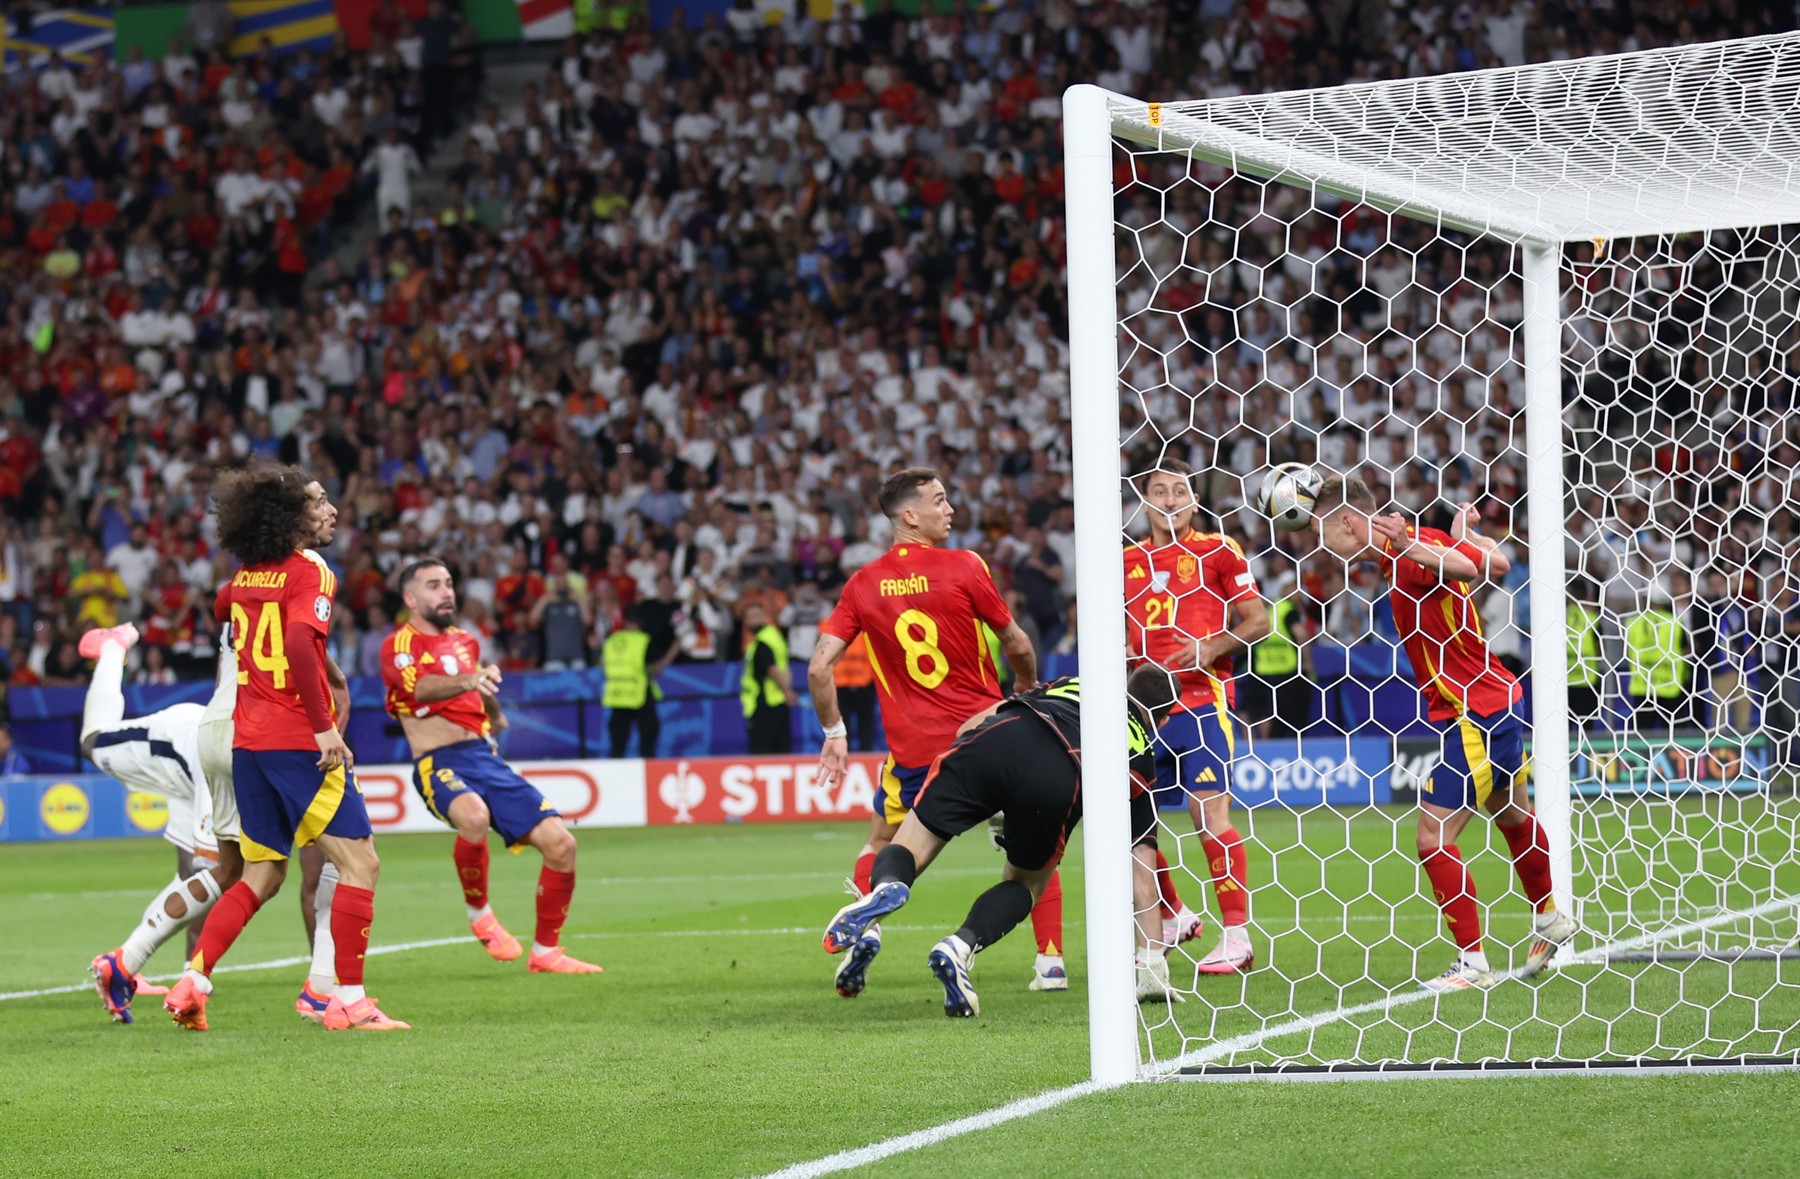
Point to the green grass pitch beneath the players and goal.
(715, 1047)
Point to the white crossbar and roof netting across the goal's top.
(1698, 138)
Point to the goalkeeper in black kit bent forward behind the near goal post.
(1021, 757)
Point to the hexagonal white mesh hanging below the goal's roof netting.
(1349, 867)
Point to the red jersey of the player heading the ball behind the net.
(1443, 634)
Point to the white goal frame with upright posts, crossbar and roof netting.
(1542, 159)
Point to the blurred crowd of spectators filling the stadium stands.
(701, 289)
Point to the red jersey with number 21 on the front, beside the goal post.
(1180, 593)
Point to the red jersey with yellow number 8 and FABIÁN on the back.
(922, 611)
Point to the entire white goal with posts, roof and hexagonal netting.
(1567, 296)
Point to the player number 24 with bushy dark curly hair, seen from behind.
(291, 766)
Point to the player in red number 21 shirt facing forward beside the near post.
(1191, 606)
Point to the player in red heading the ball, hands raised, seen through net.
(1475, 705)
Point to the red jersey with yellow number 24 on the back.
(260, 602)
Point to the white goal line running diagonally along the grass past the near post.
(1025, 1108)
